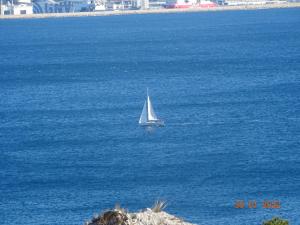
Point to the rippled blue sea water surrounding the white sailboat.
(227, 85)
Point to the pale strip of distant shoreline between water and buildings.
(152, 11)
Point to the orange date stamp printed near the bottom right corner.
(252, 204)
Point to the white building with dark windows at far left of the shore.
(17, 7)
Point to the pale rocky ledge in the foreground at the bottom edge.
(146, 217)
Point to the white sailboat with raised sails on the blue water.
(148, 116)
